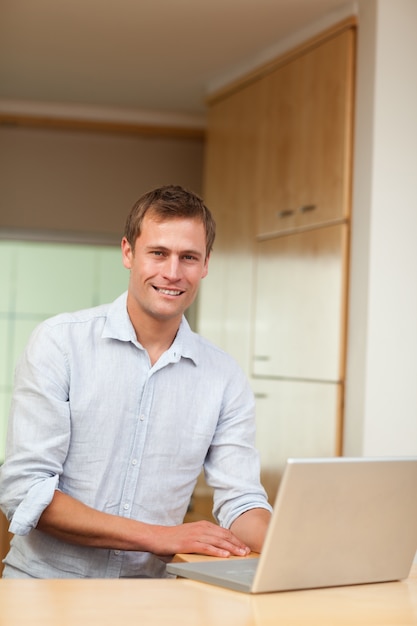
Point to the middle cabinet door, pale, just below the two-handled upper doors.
(300, 298)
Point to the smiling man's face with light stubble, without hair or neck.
(166, 267)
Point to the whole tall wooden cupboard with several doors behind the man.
(278, 180)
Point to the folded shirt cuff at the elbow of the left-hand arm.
(28, 512)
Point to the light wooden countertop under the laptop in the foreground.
(187, 603)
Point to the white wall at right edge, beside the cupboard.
(381, 394)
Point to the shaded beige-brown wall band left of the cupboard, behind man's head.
(82, 181)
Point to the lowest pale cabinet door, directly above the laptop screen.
(295, 419)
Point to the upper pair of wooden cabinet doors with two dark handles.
(303, 171)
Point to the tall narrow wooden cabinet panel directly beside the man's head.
(225, 298)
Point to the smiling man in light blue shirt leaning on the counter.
(115, 411)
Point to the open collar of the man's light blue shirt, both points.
(118, 326)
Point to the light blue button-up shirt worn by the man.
(91, 417)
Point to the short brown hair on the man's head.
(169, 202)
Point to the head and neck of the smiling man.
(166, 262)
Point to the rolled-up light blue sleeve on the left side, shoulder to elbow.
(38, 433)
